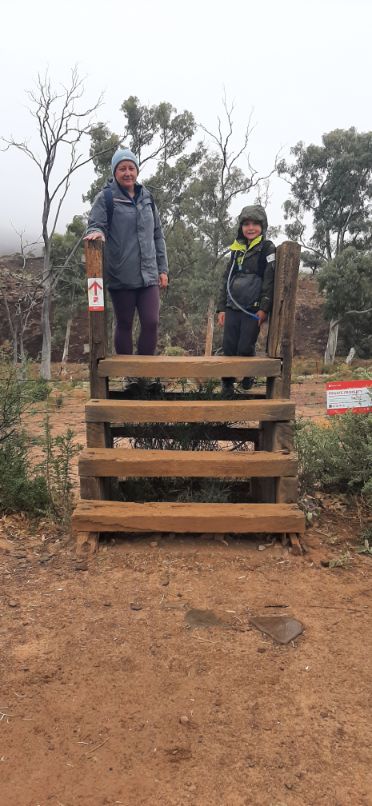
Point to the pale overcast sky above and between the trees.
(303, 66)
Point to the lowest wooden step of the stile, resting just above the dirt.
(111, 516)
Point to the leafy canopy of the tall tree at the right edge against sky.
(340, 209)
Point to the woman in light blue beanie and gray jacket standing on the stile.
(124, 214)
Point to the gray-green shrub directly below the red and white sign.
(337, 457)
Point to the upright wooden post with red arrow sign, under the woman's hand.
(97, 320)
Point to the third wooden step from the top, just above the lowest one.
(130, 462)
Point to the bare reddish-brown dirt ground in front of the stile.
(108, 696)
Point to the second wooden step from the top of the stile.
(193, 411)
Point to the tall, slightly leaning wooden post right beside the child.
(282, 319)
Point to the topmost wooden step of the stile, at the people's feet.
(166, 366)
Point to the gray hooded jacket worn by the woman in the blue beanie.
(135, 251)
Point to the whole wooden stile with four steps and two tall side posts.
(267, 422)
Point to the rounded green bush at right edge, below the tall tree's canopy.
(347, 284)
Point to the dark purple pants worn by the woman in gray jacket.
(147, 302)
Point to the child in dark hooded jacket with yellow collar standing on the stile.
(246, 294)
